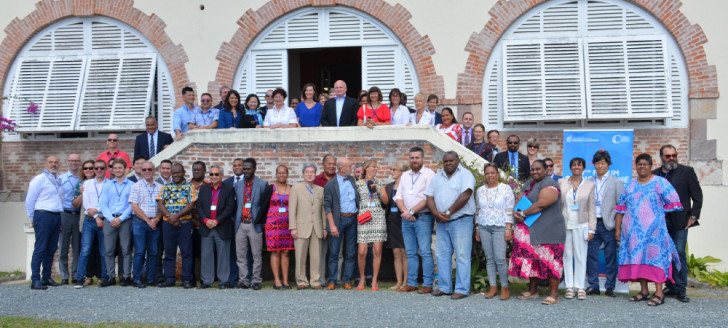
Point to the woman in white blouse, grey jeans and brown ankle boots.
(495, 202)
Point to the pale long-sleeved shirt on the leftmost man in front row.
(44, 193)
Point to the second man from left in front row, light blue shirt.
(70, 217)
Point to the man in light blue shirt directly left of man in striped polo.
(115, 207)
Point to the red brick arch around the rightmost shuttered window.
(690, 37)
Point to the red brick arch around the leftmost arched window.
(20, 31)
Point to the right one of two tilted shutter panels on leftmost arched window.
(118, 92)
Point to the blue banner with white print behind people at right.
(584, 143)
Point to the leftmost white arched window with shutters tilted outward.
(89, 74)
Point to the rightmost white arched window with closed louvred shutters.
(585, 63)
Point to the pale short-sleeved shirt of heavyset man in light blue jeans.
(447, 190)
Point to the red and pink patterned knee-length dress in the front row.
(277, 235)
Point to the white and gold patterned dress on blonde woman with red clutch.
(374, 231)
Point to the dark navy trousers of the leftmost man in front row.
(47, 228)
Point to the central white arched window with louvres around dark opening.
(384, 60)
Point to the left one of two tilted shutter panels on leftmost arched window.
(54, 84)
